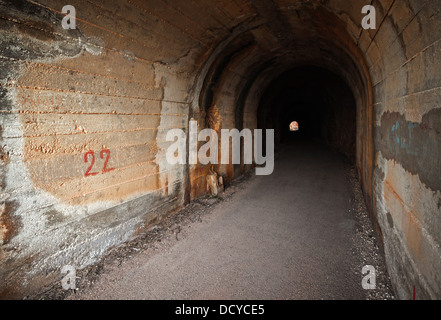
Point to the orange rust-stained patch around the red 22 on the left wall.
(74, 144)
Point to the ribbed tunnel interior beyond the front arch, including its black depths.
(315, 77)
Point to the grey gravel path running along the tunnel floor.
(300, 233)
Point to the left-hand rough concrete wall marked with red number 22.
(83, 123)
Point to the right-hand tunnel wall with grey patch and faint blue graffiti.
(405, 66)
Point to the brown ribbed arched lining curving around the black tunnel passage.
(271, 37)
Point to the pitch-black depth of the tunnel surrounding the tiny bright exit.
(319, 101)
